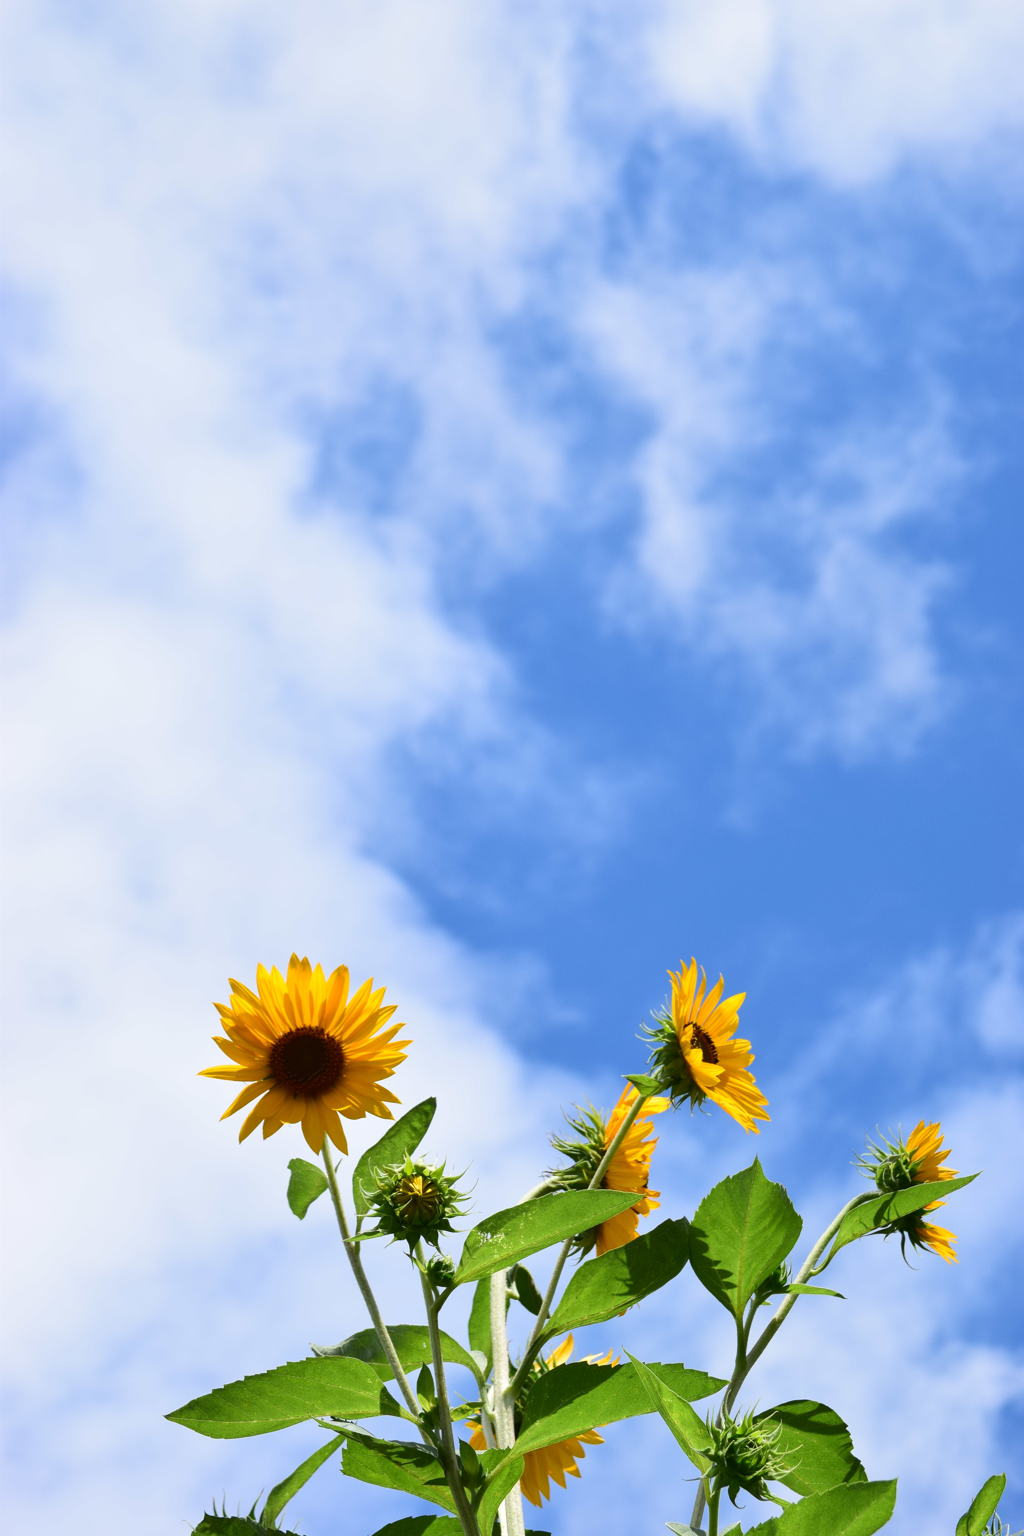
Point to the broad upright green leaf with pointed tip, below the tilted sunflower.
(741, 1234)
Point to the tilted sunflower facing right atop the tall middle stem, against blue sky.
(696, 1053)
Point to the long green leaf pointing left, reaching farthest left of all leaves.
(305, 1389)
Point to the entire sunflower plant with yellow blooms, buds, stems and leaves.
(309, 1051)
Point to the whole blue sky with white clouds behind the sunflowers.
(506, 500)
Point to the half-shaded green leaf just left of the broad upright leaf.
(606, 1286)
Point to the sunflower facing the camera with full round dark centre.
(308, 1051)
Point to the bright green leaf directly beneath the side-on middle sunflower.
(510, 1236)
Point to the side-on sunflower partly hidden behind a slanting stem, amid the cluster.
(629, 1171)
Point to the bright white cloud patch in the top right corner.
(850, 91)
